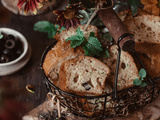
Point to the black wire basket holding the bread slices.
(117, 103)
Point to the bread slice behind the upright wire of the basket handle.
(127, 69)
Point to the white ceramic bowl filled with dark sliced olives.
(15, 51)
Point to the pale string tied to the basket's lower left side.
(53, 101)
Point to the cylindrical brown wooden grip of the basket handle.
(117, 29)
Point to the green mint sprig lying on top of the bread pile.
(92, 46)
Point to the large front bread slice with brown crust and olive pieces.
(83, 76)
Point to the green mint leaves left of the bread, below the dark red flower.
(47, 27)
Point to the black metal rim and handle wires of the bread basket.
(49, 84)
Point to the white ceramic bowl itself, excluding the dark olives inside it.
(15, 65)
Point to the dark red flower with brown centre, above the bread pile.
(70, 16)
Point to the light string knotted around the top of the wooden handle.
(98, 7)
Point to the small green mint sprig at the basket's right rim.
(142, 75)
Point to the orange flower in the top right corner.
(151, 6)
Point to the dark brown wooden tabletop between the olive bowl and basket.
(31, 73)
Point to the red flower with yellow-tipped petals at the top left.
(32, 5)
